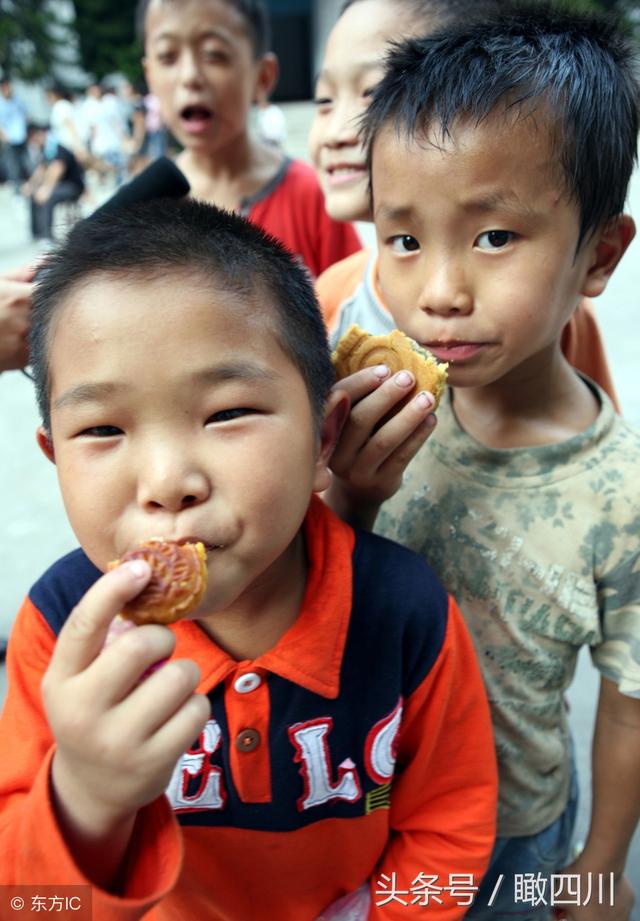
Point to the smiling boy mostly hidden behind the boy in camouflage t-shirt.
(349, 292)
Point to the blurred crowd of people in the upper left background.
(110, 131)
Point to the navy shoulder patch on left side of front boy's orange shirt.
(61, 587)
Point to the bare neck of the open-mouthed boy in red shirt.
(231, 174)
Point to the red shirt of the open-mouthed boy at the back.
(294, 212)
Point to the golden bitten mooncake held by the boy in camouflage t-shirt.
(358, 349)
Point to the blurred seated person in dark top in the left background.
(57, 178)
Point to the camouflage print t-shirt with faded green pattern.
(540, 547)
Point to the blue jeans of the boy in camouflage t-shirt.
(516, 886)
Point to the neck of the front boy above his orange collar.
(262, 615)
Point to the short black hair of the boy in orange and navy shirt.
(161, 237)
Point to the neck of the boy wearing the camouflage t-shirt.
(527, 410)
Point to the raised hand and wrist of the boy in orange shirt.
(118, 738)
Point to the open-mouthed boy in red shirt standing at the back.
(207, 61)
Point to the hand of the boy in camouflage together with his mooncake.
(394, 387)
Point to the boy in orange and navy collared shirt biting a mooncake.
(342, 730)
